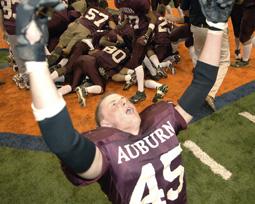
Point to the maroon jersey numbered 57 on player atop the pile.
(95, 18)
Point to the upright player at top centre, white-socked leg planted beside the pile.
(140, 16)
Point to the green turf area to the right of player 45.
(230, 140)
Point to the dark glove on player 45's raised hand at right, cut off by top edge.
(217, 11)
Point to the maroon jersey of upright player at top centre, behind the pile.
(136, 12)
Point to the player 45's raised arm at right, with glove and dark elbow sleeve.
(216, 13)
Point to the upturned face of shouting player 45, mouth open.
(119, 113)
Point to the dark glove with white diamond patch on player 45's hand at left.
(32, 28)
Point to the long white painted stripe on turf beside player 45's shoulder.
(207, 160)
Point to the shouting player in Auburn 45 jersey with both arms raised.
(136, 158)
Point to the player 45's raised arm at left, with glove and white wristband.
(49, 108)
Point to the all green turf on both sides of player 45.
(35, 177)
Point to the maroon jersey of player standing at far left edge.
(9, 15)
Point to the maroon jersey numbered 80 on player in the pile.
(111, 57)
